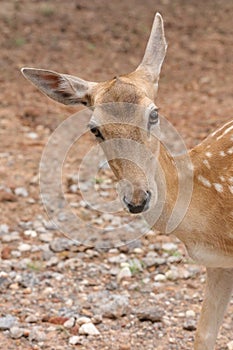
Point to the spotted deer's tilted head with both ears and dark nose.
(124, 117)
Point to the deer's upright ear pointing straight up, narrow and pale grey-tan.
(155, 50)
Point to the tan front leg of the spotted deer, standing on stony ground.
(219, 288)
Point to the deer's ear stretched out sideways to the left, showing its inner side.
(63, 88)
